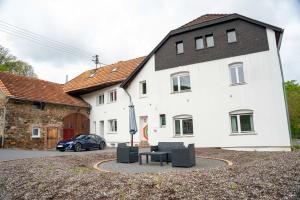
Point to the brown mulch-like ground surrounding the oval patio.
(254, 175)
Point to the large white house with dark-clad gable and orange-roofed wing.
(216, 81)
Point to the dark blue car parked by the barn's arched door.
(82, 141)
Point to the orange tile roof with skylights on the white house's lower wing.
(114, 73)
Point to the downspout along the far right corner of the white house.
(284, 91)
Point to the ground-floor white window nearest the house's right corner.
(241, 121)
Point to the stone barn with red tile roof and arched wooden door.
(35, 114)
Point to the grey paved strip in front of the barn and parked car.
(12, 154)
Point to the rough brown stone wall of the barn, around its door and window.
(21, 117)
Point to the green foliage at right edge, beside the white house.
(293, 99)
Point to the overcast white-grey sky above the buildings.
(120, 30)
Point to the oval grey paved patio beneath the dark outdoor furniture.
(154, 167)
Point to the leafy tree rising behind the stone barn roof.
(9, 63)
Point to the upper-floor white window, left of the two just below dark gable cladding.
(180, 82)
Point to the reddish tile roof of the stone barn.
(20, 87)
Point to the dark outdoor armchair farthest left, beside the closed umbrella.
(127, 154)
